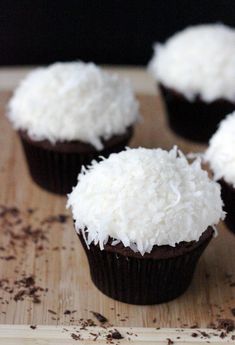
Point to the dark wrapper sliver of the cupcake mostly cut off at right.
(228, 197)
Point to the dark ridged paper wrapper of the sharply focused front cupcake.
(141, 281)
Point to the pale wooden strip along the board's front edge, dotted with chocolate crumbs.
(24, 334)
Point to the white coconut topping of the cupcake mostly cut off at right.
(221, 151)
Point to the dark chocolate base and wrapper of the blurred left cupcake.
(56, 167)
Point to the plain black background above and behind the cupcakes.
(106, 32)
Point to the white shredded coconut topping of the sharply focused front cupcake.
(144, 197)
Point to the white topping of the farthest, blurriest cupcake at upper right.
(199, 60)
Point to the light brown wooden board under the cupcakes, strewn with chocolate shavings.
(54, 258)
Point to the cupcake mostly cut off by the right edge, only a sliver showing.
(221, 157)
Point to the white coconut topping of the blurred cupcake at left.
(73, 101)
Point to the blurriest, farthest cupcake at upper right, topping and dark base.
(195, 71)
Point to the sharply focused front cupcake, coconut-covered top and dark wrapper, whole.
(144, 217)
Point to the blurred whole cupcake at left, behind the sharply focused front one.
(68, 114)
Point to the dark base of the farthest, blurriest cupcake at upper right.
(196, 120)
